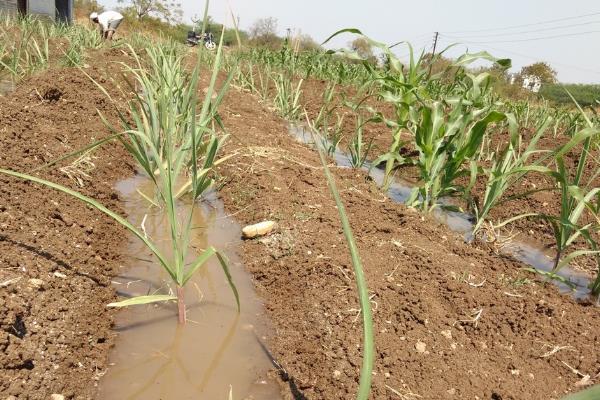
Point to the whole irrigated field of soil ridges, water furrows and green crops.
(420, 236)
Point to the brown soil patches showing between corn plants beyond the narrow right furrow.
(540, 199)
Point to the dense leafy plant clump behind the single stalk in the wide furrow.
(161, 132)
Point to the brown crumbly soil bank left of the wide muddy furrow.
(56, 255)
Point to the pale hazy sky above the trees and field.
(564, 32)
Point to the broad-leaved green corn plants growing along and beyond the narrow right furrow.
(445, 125)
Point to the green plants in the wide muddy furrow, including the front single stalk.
(168, 135)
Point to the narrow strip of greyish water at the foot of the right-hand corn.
(532, 254)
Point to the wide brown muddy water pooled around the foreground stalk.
(218, 350)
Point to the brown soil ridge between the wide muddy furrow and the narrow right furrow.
(451, 320)
